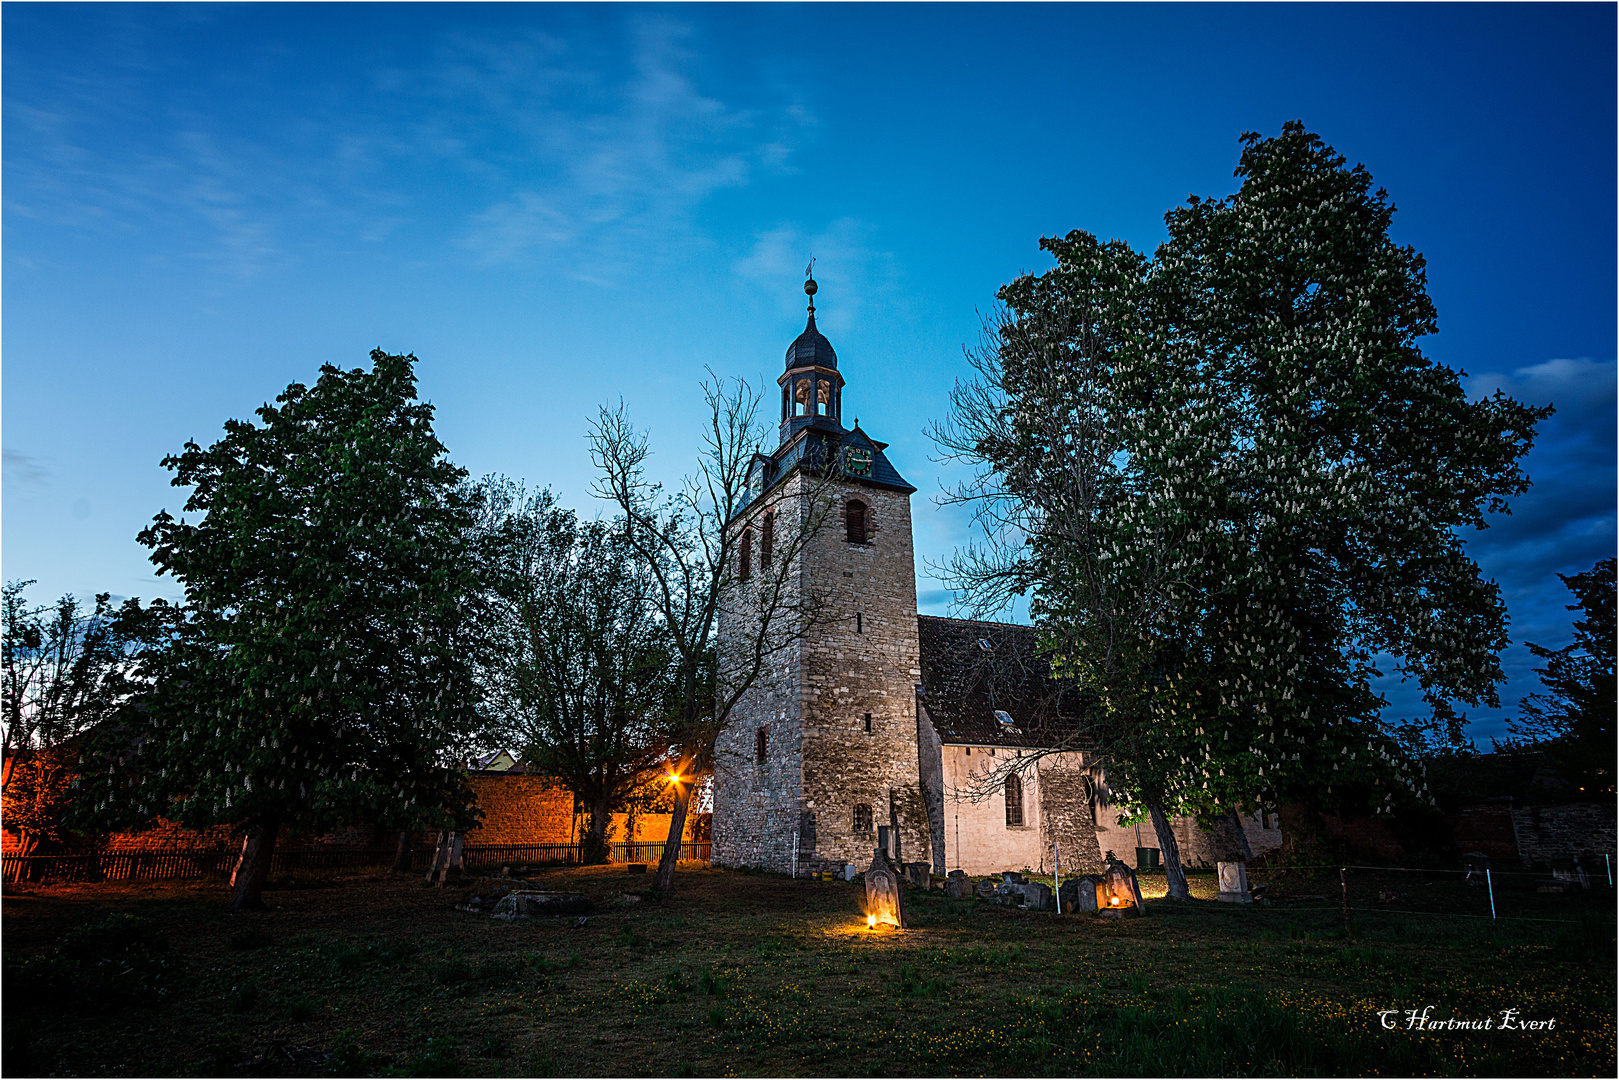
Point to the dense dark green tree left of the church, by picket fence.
(320, 670)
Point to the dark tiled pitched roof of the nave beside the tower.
(974, 670)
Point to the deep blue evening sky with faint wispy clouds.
(564, 206)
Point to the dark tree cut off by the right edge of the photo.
(1574, 720)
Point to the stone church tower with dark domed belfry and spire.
(825, 750)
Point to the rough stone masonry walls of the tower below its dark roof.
(820, 760)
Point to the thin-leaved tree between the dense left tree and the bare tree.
(579, 674)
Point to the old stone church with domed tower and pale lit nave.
(880, 716)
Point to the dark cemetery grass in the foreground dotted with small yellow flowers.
(746, 974)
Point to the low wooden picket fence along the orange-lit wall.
(163, 865)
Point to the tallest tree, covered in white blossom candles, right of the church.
(1228, 480)
